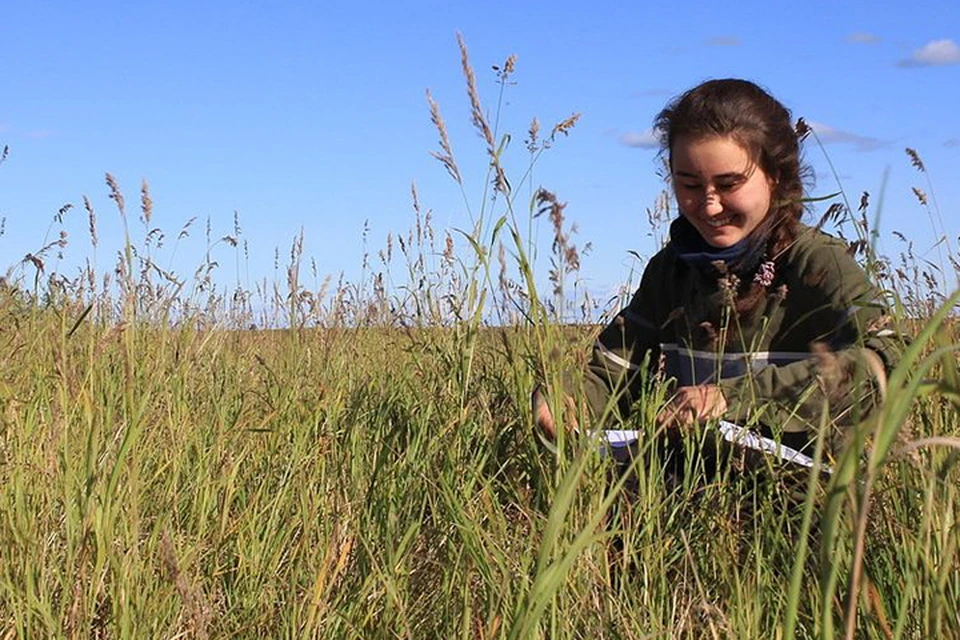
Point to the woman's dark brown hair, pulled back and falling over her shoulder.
(758, 122)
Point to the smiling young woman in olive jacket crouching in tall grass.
(751, 315)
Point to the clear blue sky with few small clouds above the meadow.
(314, 116)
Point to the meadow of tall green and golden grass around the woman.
(357, 460)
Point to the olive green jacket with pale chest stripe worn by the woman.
(797, 352)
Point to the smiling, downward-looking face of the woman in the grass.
(719, 189)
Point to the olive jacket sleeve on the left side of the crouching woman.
(625, 352)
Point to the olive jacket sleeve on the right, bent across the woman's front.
(847, 317)
